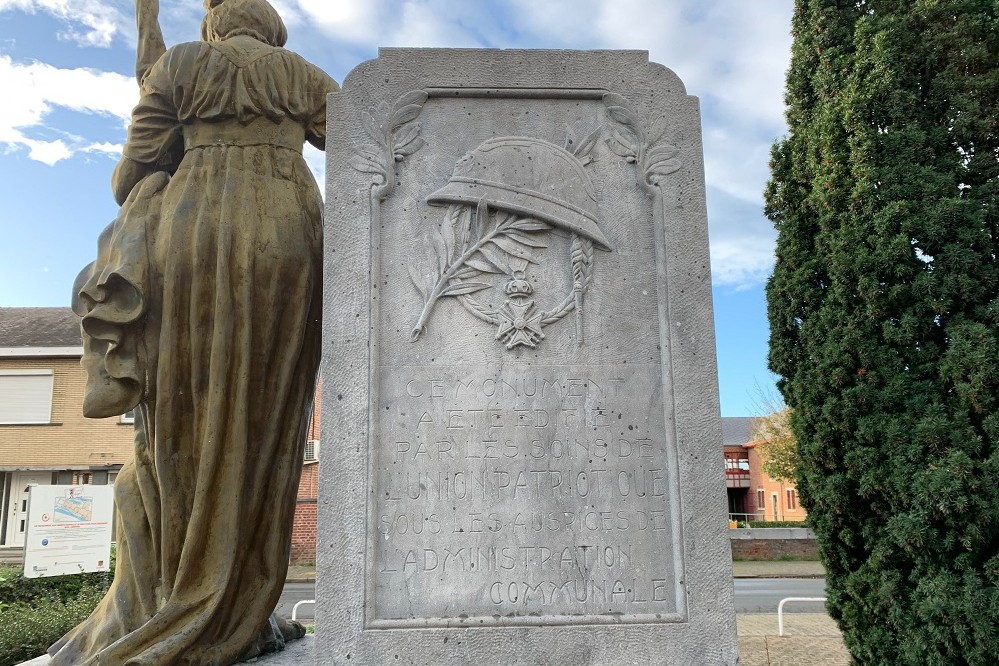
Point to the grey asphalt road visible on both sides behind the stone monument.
(752, 595)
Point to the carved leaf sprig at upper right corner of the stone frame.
(631, 141)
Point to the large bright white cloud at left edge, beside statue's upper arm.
(35, 89)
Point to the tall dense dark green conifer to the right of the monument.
(884, 314)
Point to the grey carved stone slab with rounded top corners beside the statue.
(521, 457)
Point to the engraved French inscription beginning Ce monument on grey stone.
(508, 493)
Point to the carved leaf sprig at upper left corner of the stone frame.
(392, 142)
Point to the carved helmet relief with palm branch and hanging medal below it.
(504, 199)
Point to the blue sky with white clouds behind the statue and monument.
(68, 87)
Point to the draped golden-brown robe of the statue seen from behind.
(205, 300)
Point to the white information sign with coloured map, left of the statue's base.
(69, 530)
